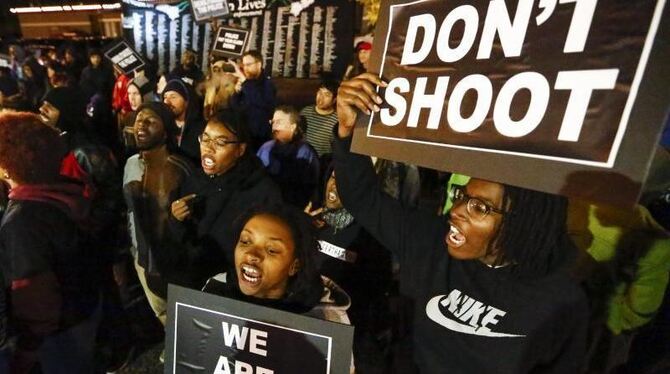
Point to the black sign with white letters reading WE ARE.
(212, 334)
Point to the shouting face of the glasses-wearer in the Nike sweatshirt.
(472, 236)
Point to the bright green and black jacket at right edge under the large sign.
(627, 265)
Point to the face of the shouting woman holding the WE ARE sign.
(265, 257)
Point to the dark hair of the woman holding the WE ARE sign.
(305, 287)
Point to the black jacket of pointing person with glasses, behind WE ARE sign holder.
(207, 235)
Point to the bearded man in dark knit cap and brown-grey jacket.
(148, 179)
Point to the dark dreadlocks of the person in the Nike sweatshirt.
(533, 234)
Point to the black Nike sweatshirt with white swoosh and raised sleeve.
(467, 317)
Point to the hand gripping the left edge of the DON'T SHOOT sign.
(357, 93)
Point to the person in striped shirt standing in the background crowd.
(321, 118)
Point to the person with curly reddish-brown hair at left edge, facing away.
(50, 276)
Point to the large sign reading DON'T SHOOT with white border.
(563, 96)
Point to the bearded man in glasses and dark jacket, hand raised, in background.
(255, 97)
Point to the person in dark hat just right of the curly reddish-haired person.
(89, 162)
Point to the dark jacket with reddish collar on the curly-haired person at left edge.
(51, 278)
